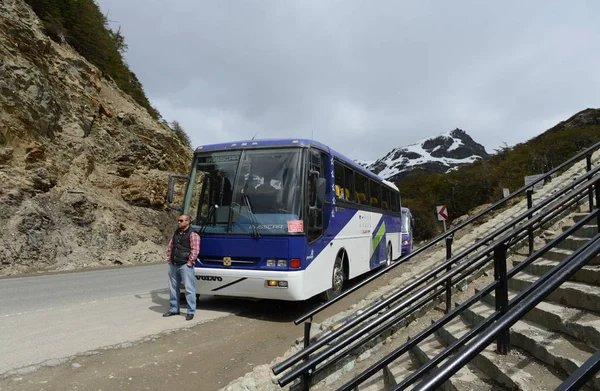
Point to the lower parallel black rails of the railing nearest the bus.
(550, 203)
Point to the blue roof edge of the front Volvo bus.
(248, 144)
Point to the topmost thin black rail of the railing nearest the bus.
(442, 236)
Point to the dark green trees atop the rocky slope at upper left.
(84, 27)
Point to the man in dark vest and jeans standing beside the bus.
(182, 252)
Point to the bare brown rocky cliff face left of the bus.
(83, 168)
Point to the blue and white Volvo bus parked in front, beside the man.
(286, 219)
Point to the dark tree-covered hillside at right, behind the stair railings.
(483, 181)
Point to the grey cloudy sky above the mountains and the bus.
(363, 76)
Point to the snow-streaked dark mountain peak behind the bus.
(440, 154)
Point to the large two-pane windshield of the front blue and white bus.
(251, 191)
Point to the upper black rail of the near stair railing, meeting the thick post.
(451, 315)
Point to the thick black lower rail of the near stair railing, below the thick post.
(536, 293)
